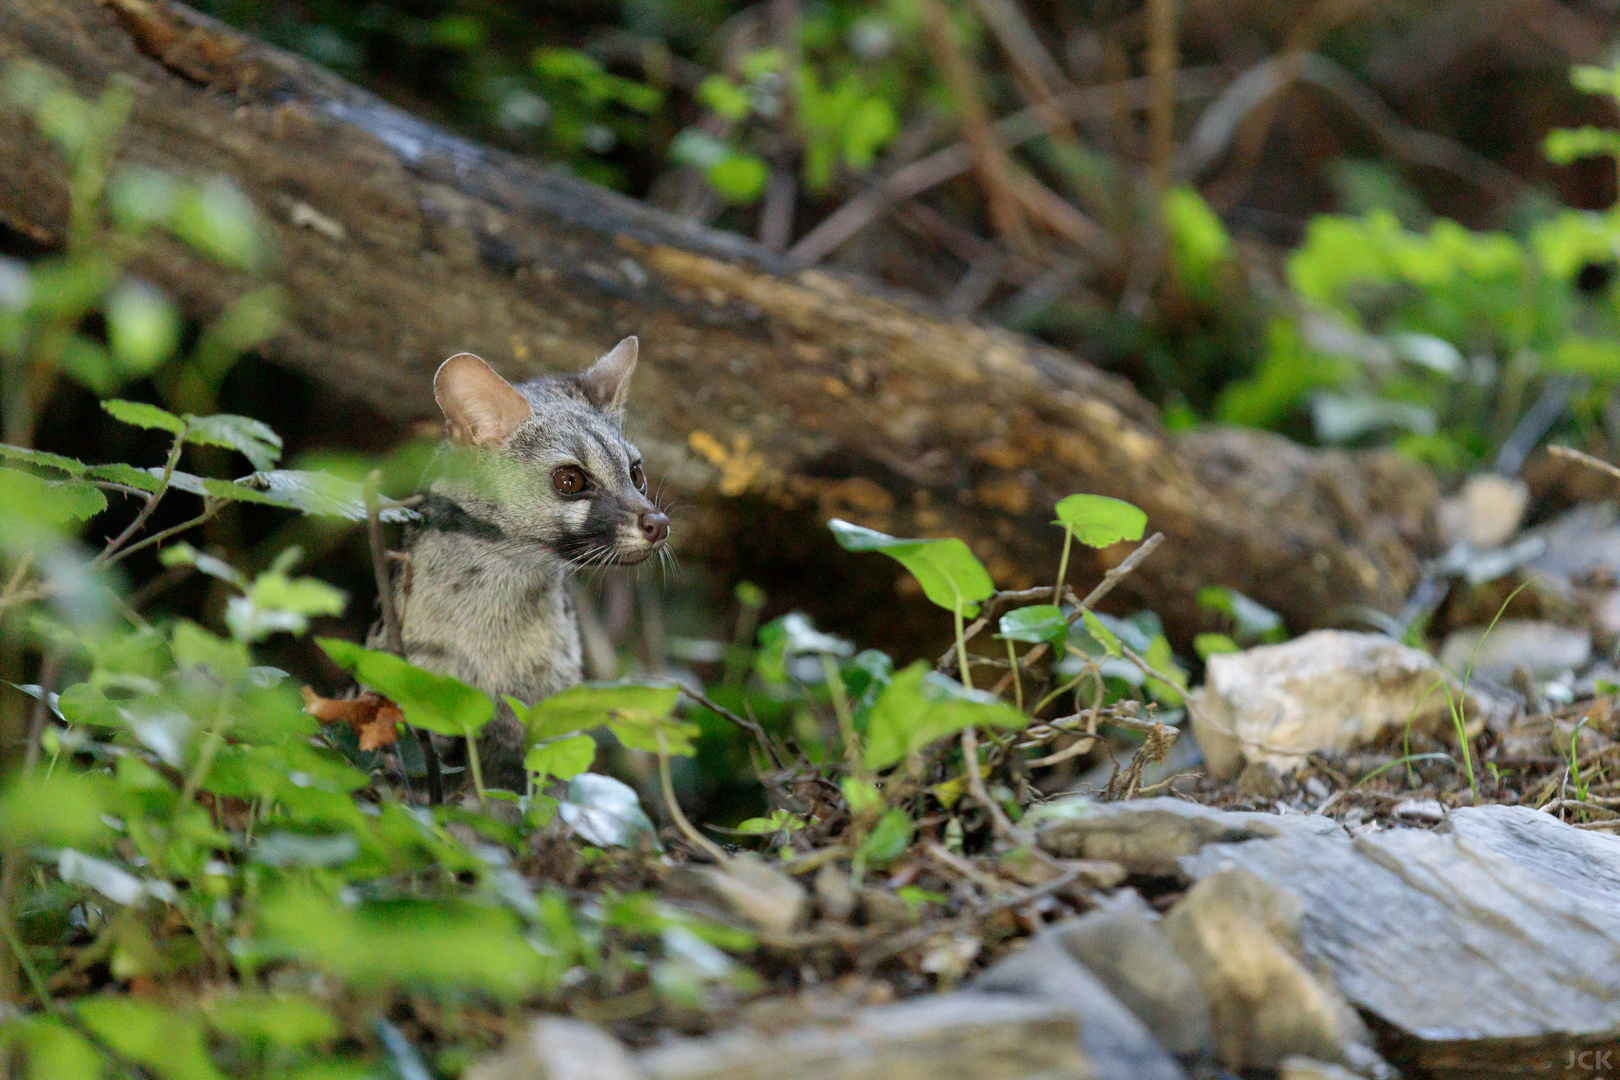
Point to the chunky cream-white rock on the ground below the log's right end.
(1324, 692)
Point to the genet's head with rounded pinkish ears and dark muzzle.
(547, 464)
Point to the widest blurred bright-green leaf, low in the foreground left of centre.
(417, 943)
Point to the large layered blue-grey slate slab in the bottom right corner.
(1486, 948)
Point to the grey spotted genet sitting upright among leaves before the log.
(487, 597)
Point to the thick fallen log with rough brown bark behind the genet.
(767, 398)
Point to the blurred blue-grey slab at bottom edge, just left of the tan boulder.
(1115, 1044)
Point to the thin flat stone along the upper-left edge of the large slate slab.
(1151, 836)
